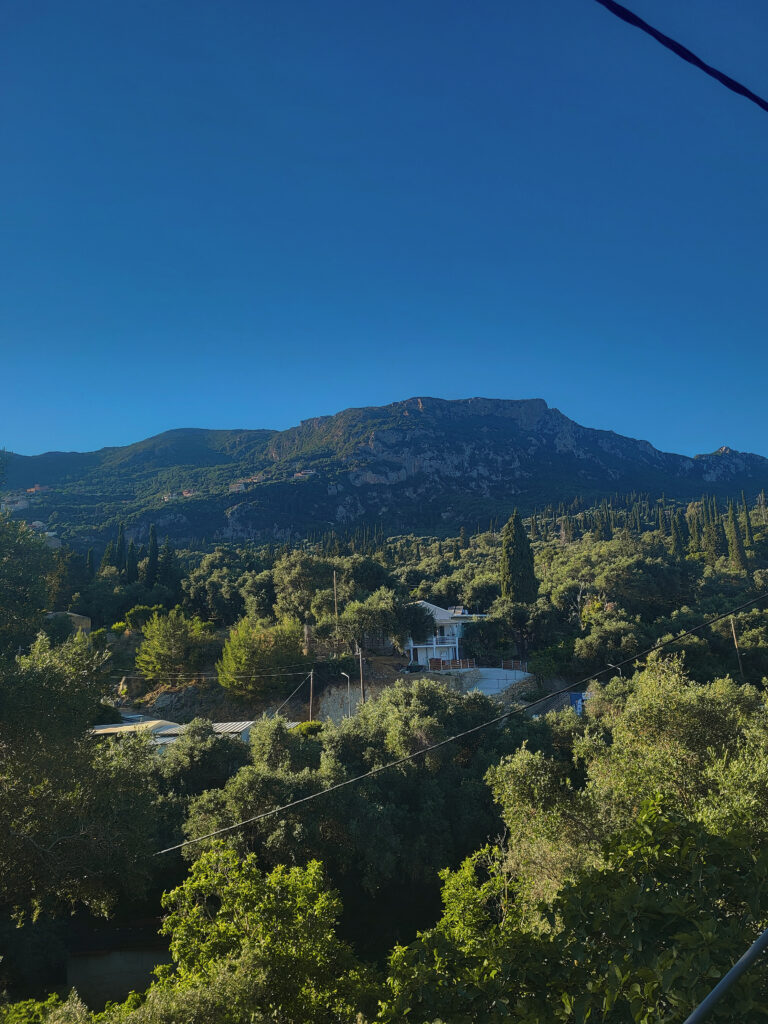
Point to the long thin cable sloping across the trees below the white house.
(466, 733)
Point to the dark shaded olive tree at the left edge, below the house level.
(78, 818)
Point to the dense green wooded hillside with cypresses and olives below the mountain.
(552, 867)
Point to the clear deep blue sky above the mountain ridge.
(243, 215)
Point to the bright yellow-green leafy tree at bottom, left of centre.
(284, 923)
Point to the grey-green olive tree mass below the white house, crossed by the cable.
(399, 829)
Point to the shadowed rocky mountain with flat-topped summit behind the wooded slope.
(423, 464)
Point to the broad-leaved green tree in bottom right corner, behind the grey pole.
(642, 938)
